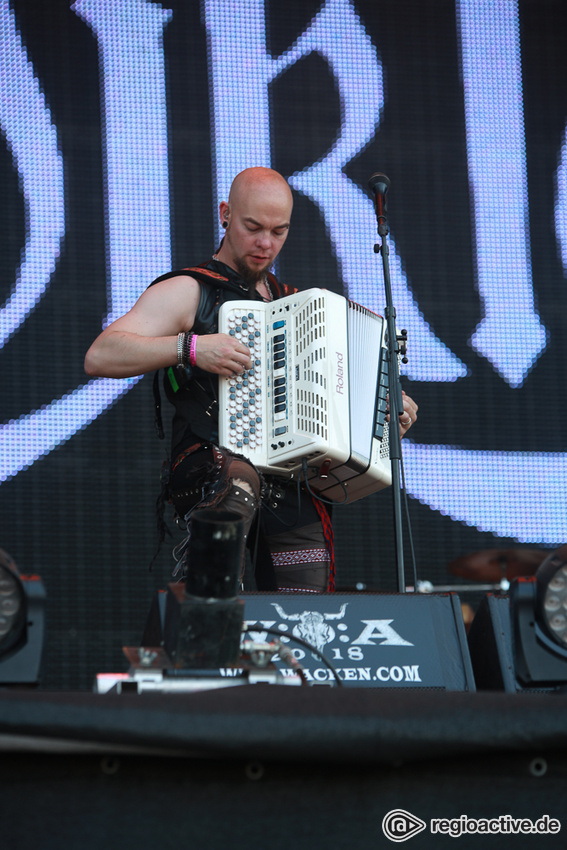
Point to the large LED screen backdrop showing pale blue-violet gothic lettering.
(123, 123)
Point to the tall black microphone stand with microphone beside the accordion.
(379, 184)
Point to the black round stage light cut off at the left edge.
(21, 624)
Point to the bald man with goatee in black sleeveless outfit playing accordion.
(174, 326)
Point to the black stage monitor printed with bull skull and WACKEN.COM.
(371, 640)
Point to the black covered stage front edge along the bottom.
(273, 766)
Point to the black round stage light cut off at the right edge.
(538, 607)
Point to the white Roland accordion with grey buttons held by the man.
(316, 392)
